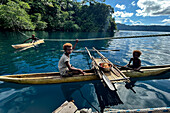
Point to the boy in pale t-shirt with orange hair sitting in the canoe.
(65, 68)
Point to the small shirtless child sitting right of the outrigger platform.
(136, 61)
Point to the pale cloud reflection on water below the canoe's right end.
(147, 95)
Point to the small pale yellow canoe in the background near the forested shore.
(17, 46)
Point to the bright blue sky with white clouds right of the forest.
(141, 12)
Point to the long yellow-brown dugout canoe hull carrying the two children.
(54, 77)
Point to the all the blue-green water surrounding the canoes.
(18, 98)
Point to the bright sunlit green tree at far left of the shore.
(13, 17)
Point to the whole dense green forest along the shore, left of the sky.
(56, 15)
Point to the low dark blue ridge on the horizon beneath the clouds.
(143, 27)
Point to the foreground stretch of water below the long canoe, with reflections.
(46, 98)
